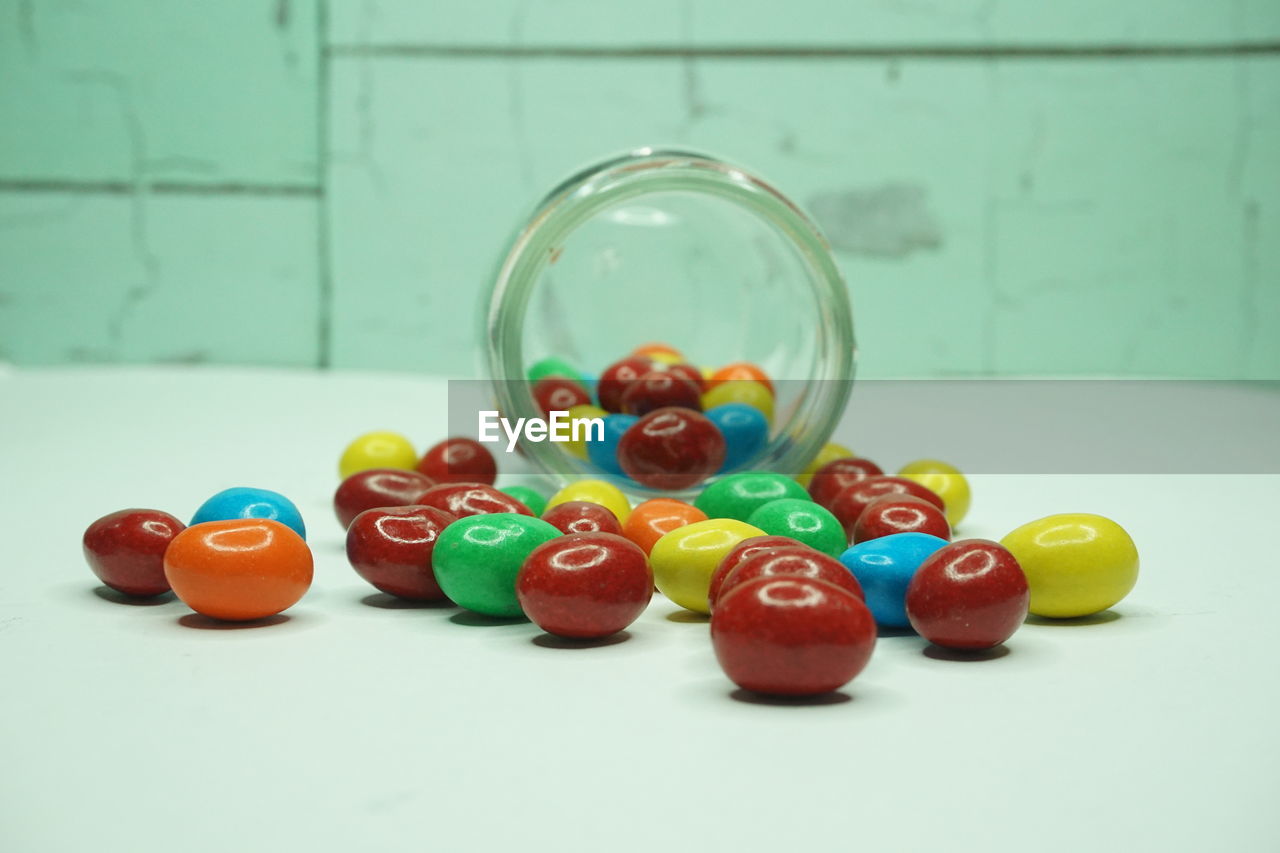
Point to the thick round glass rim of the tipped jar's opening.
(650, 171)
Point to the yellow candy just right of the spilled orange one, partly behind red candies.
(685, 559)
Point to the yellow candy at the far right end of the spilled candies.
(1076, 564)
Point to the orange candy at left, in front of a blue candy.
(239, 571)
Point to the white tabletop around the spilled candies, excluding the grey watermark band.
(355, 726)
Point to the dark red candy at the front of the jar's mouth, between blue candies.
(671, 449)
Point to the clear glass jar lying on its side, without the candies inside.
(685, 249)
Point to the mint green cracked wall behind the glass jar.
(1014, 188)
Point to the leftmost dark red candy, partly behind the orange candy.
(126, 550)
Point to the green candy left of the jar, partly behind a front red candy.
(477, 560)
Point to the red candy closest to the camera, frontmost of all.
(792, 636)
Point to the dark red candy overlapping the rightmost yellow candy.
(970, 595)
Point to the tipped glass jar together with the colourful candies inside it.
(688, 317)
